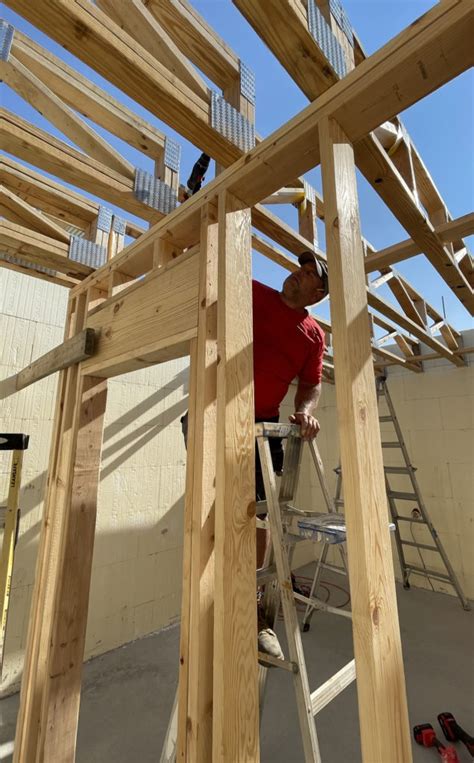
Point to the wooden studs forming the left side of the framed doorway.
(49, 705)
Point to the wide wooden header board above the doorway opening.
(152, 320)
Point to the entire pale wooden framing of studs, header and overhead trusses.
(183, 287)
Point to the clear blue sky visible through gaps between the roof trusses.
(441, 126)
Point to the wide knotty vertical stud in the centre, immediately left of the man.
(235, 703)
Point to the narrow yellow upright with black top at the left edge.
(10, 523)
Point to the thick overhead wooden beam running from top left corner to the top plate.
(125, 63)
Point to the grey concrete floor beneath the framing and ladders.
(127, 694)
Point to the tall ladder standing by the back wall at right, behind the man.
(416, 514)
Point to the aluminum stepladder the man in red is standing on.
(327, 527)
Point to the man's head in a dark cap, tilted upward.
(307, 285)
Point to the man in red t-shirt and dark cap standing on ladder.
(287, 344)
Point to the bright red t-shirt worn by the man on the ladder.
(287, 344)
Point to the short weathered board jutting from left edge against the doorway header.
(73, 350)
